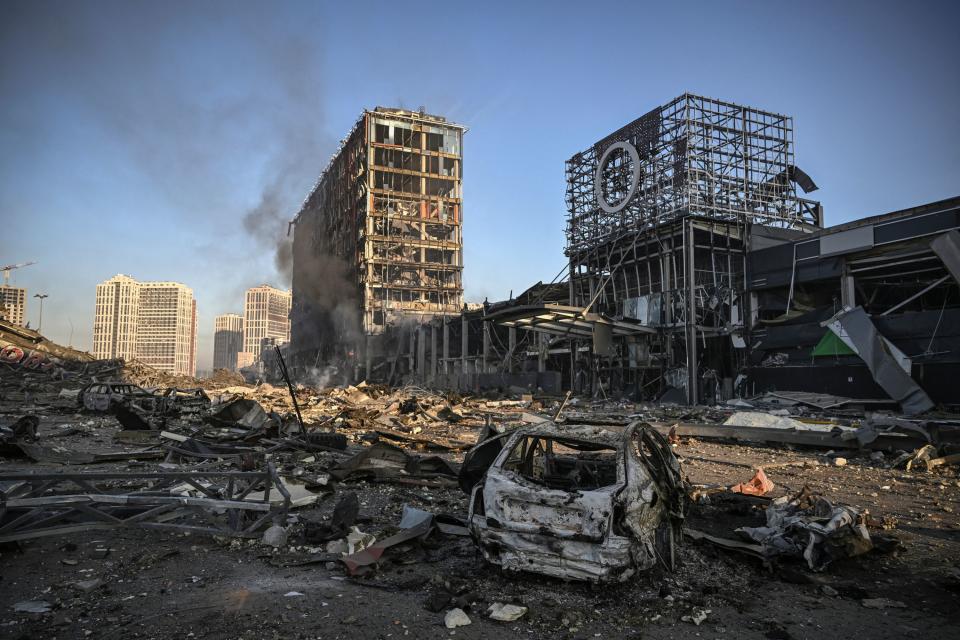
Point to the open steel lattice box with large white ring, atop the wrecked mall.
(694, 155)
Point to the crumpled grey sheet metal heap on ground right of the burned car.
(811, 527)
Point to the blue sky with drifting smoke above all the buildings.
(137, 137)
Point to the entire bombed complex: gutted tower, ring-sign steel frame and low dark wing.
(699, 270)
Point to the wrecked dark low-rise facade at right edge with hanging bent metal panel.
(864, 309)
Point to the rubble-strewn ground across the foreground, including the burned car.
(110, 489)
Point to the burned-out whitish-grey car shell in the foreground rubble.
(578, 502)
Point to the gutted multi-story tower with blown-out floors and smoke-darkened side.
(378, 239)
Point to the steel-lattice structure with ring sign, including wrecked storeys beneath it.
(659, 220)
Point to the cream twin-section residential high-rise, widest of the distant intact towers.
(153, 322)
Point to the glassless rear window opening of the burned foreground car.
(563, 464)
